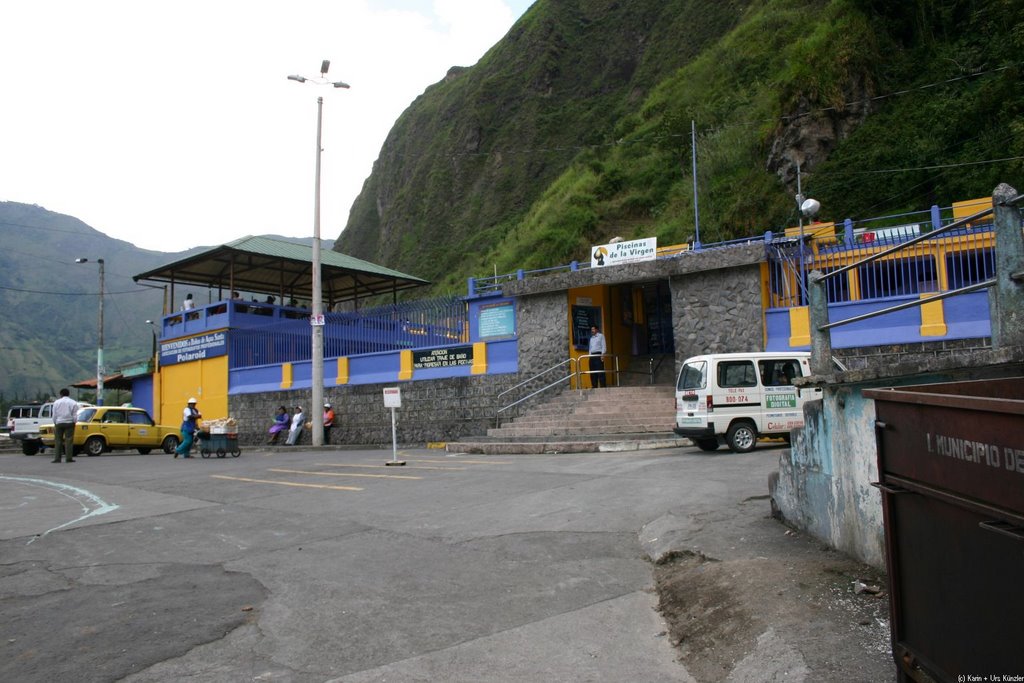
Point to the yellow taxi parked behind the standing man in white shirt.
(102, 429)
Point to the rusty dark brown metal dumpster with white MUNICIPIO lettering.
(952, 474)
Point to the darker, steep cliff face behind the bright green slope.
(468, 158)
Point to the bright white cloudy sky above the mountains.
(173, 125)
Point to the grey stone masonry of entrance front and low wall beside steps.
(716, 302)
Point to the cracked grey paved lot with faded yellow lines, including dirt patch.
(329, 567)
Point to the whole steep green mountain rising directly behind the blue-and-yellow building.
(577, 127)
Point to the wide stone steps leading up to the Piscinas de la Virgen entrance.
(610, 419)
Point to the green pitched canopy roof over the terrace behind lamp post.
(265, 266)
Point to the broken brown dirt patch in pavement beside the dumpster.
(801, 614)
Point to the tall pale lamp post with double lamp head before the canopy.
(317, 319)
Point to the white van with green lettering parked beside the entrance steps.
(737, 398)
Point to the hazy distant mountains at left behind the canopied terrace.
(50, 304)
